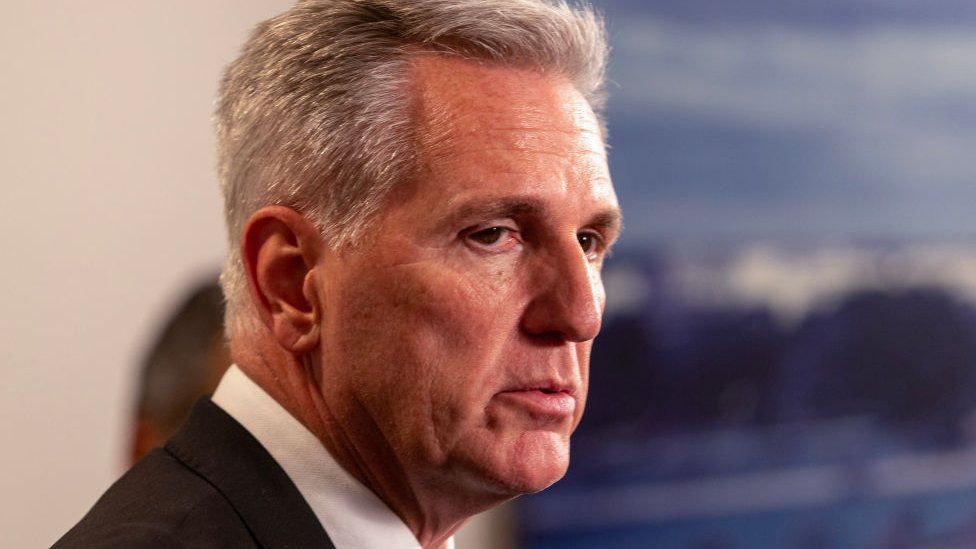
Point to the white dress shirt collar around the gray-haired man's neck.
(352, 515)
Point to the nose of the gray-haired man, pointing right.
(568, 297)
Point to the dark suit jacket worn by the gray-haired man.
(212, 485)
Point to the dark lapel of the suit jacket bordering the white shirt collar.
(221, 451)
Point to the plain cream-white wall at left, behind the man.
(109, 210)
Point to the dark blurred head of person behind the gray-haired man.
(185, 363)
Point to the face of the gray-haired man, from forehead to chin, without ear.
(456, 340)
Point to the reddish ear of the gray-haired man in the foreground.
(280, 248)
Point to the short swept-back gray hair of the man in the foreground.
(315, 113)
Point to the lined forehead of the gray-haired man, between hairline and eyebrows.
(488, 128)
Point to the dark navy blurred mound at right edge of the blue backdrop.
(905, 358)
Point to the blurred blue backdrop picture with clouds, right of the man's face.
(788, 357)
